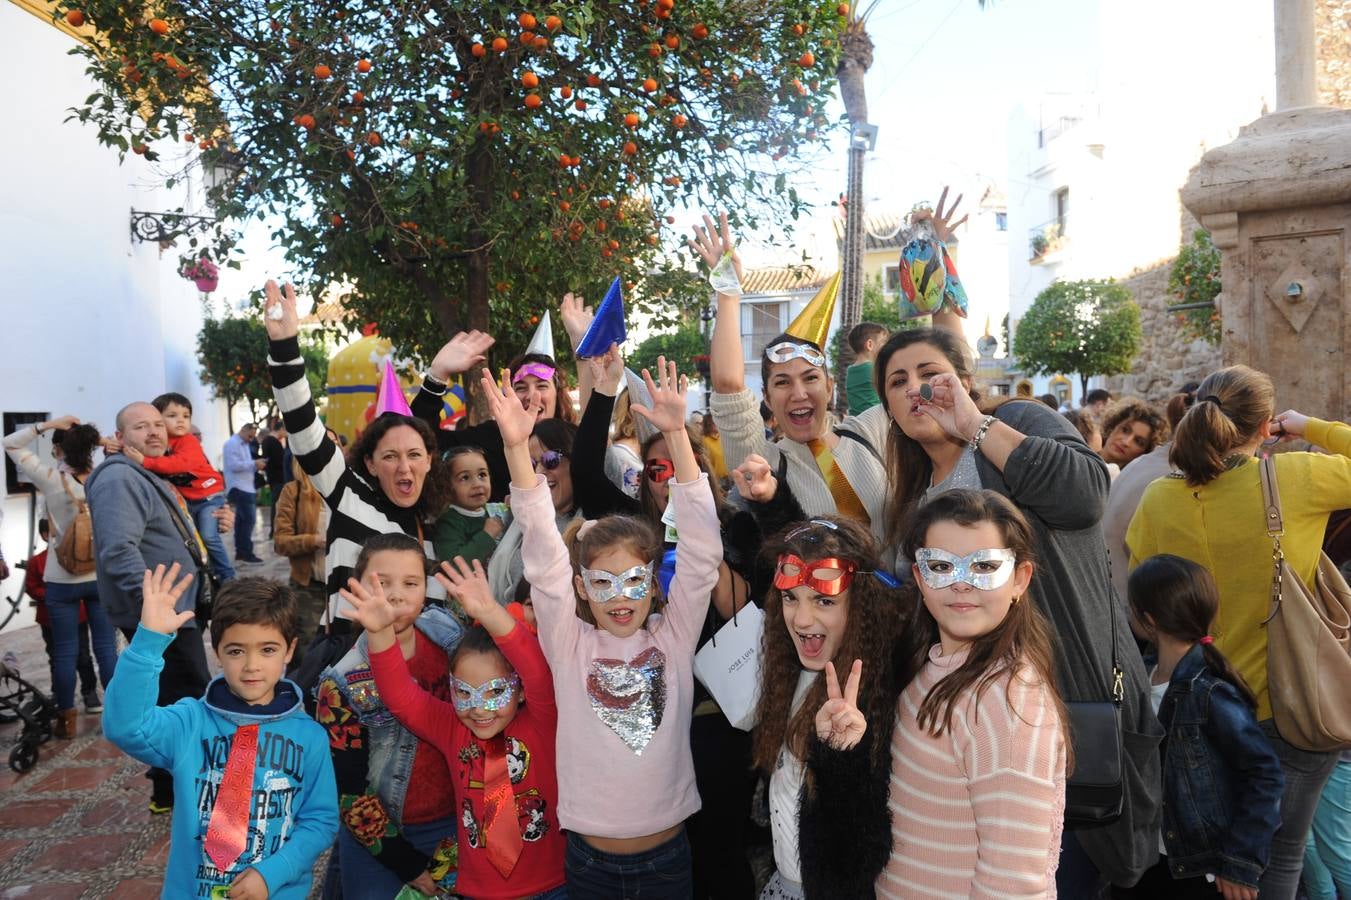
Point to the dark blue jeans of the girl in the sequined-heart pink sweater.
(661, 874)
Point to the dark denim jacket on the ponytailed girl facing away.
(1222, 780)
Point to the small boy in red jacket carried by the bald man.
(186, 466)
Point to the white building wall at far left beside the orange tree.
(93, 320)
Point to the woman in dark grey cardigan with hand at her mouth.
(941, 439)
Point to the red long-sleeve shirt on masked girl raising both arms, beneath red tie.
(530, 761)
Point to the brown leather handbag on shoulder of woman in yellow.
(1308, 643)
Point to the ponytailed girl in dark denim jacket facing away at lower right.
(1222, 779)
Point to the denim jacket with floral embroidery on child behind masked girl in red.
(392, 747)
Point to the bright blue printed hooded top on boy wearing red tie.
(295, 803)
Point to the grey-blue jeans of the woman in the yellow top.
(1306, 774)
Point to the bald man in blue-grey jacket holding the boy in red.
(141, 522)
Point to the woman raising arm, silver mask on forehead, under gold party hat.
(832, 471)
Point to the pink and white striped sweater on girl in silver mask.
(977, 811)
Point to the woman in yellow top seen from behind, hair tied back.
(1211, 513)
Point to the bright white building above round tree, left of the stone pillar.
(1175, 80)
